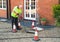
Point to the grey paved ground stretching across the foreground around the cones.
(48, 35)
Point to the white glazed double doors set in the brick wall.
(30, 9)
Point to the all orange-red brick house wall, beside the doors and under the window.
(44, 8)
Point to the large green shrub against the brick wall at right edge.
(56, 11)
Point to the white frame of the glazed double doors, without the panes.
(30, 11)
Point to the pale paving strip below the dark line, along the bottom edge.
(31, 40)
